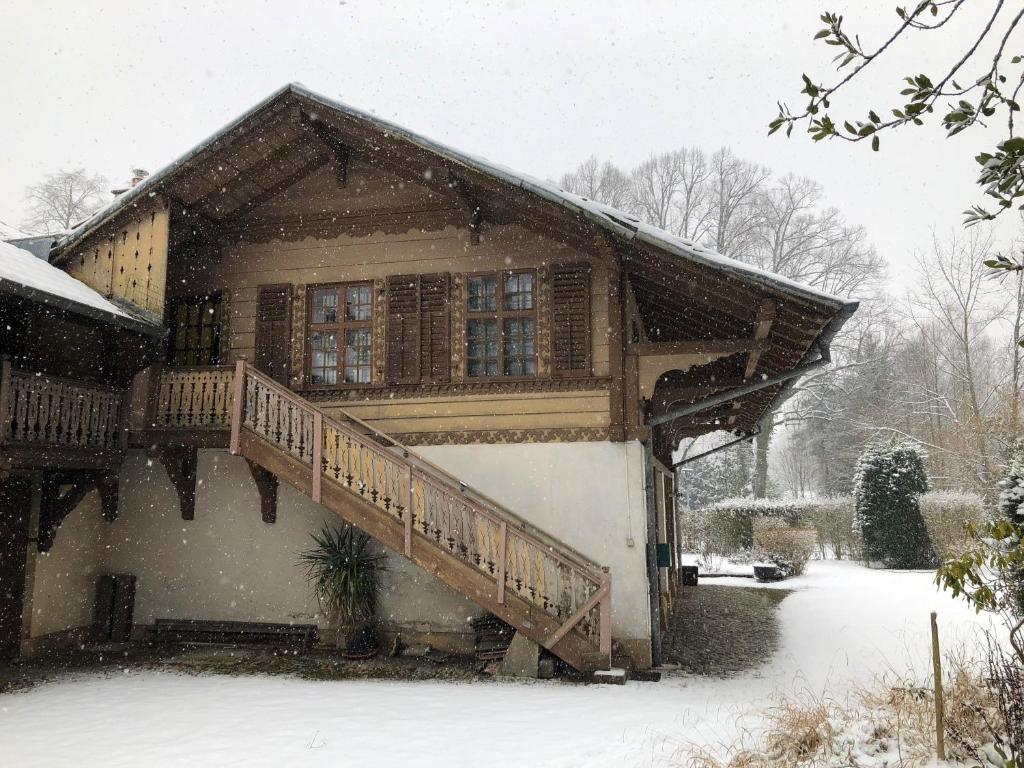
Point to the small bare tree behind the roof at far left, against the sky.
(64, 199)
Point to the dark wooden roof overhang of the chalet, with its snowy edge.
(293, 119)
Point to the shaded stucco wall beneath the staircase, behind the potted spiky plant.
(229, 565)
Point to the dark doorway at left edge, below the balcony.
(16, 511)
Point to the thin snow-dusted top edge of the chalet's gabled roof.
(619, 223)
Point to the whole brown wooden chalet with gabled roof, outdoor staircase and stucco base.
(487, 374)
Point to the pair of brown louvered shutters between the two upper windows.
(419, 328)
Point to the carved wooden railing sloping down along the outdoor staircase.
(431, 505)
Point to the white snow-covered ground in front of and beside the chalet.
(842, 626)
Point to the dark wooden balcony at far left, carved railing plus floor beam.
(49, 421)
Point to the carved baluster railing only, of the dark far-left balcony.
(40, 411)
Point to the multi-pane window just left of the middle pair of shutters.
(342, 315)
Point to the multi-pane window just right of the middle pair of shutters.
(501, 325)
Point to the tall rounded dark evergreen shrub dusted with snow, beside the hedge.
(889, 481)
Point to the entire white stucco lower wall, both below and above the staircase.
(229, 565)
